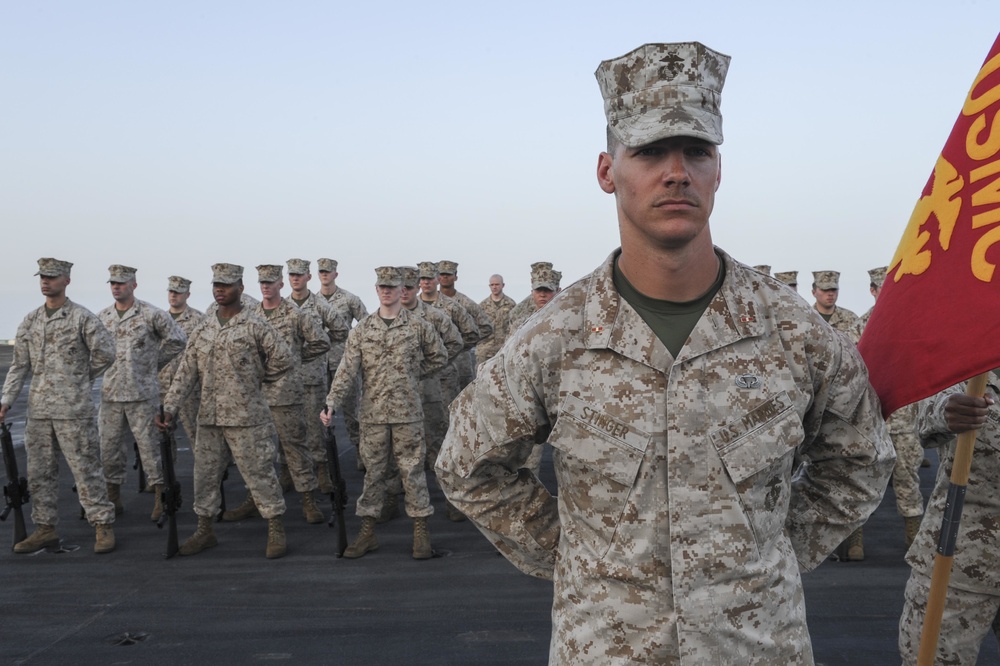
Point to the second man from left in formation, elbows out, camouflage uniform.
(146, 339)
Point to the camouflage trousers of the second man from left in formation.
(117, 417)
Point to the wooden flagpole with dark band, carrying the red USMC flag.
(949, 533)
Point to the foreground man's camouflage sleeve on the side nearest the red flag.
(848, 457)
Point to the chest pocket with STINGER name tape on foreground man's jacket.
(597, 463)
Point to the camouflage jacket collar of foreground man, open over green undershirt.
(610, 322)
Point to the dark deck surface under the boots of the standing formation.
(229, 605)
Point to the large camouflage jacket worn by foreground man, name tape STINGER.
(678, 529)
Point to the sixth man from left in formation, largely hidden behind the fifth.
(314, 377)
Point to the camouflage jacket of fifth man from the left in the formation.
(307, 340)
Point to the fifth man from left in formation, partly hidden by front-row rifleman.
(307, 340)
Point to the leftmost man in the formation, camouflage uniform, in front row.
(63, 348)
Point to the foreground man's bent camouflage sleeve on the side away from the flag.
(495, 423)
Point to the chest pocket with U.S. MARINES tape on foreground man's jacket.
(758, 450)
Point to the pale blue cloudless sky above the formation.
(169, 136)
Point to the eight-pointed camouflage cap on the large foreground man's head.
(663, 90)
